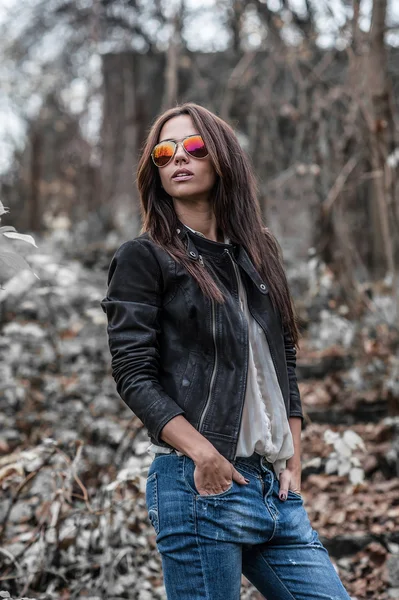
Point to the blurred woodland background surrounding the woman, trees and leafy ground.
(311, 90)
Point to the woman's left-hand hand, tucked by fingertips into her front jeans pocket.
(214, 474)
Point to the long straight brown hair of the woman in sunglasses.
(234, 202)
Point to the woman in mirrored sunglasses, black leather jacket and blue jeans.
(202, 334)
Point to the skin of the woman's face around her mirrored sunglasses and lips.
(203, 173)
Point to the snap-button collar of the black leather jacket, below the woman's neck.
(198, 243)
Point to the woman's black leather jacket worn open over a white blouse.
(176, 352)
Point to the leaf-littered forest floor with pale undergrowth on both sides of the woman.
(73, 458)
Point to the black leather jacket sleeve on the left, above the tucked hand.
(132, 305)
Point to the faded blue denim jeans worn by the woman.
(206, 542)
